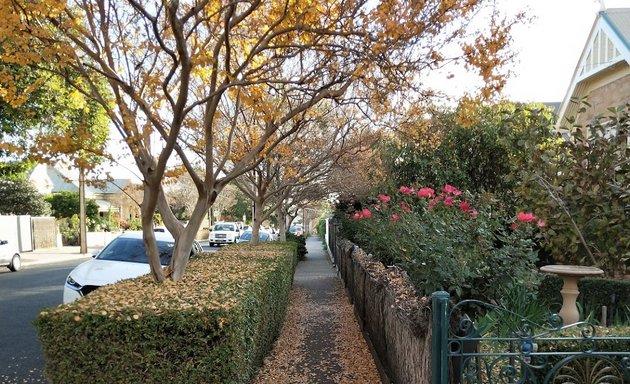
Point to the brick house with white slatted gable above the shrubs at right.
(602, 74)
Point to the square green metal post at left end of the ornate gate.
(439, 342)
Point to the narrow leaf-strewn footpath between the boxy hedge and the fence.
(321, 341)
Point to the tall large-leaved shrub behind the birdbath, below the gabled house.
(577, 179)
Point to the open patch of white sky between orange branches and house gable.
(549, 48)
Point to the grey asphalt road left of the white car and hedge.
(24, 295)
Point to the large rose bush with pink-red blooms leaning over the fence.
(448, 240)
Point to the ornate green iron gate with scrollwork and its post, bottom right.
(467, 351)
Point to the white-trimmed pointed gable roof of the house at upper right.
(607, 46)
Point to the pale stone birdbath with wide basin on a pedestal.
(570, 274)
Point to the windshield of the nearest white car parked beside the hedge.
(132, 250)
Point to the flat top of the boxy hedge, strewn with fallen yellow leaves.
(214, 281)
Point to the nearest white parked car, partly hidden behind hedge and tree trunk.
(123, 258)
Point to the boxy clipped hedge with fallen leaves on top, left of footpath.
(214, 326)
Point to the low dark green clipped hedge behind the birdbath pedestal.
(594, 292)
